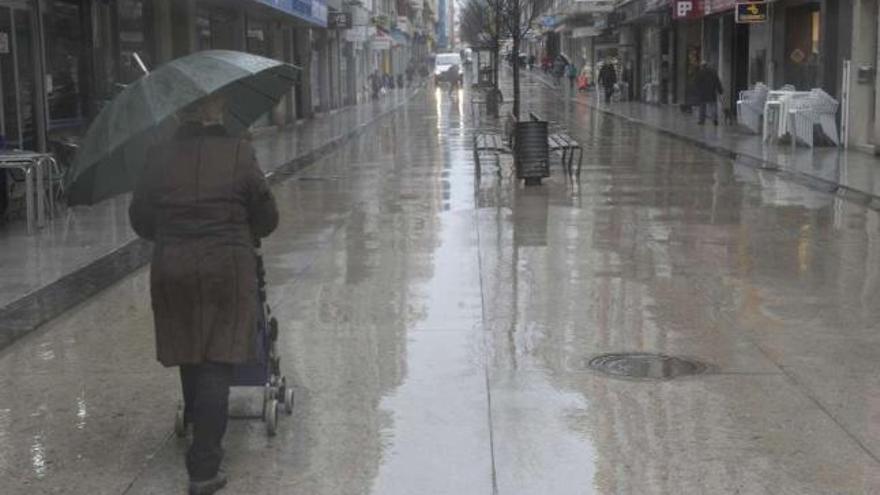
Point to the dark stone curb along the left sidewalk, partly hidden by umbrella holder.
(28, 313)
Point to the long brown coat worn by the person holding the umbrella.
(203, 199)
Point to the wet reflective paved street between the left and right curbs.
(439, 327)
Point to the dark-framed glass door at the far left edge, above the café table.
(18, 126)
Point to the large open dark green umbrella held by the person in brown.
(113, 151)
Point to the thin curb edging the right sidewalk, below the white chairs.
(848, 193)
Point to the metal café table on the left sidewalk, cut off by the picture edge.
(37, 170)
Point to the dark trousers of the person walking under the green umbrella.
(206, 406)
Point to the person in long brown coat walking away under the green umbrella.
(203, 200)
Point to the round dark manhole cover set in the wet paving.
(641, 365)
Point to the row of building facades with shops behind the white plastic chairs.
(657, 45)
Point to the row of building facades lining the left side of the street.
(62, 60)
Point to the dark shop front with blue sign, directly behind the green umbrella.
(62, 60)
